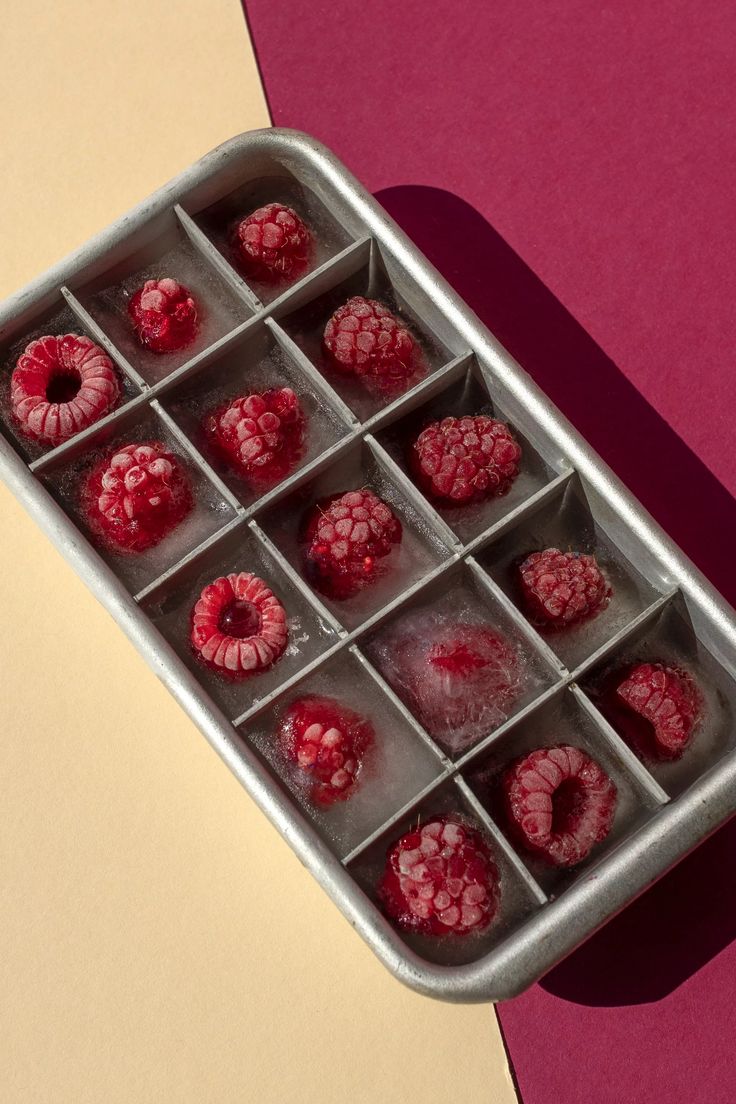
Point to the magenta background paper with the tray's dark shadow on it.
(570, 167)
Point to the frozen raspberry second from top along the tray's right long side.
(364, 339)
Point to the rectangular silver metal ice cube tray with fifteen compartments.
(566, 496)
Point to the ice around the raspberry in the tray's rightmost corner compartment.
(669, 639)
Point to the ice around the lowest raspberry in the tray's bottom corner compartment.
(517, 900)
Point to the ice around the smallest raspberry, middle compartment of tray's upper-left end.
(170, 256)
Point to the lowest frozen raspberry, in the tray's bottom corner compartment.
(441, 879)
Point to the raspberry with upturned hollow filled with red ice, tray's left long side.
(239, 625)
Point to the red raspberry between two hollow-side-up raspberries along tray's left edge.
(137, 496)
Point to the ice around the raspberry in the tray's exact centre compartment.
(419, 553)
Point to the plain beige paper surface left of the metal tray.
(159, 943)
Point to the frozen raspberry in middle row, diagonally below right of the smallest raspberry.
(261, 436)
